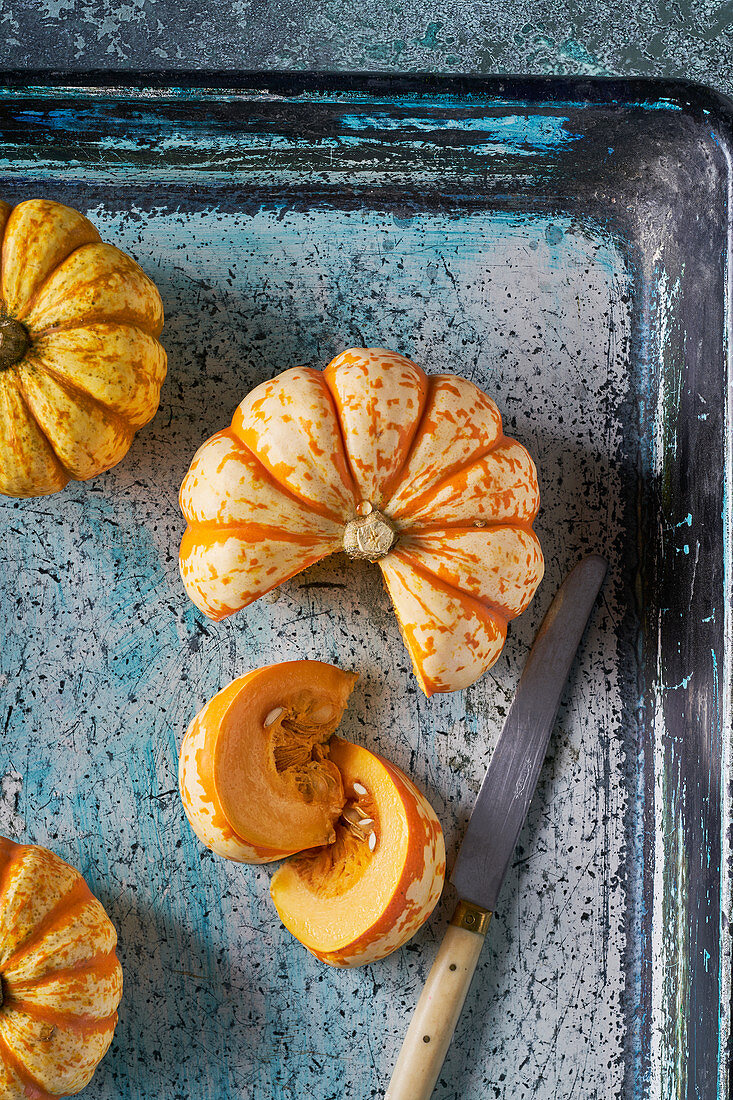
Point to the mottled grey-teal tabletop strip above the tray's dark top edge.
(691, 39)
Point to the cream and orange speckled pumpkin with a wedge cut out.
(376, 458)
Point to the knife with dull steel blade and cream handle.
(491, 837)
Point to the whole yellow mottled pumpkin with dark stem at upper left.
(81, 367)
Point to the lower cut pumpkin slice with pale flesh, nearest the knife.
(365, 896)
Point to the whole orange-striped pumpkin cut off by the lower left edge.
(62, 982)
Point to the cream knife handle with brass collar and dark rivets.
(440, 1007)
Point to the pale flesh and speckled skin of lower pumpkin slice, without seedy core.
(400, 888)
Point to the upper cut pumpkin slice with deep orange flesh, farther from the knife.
(256, 779)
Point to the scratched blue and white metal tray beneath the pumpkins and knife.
(563, 245)
